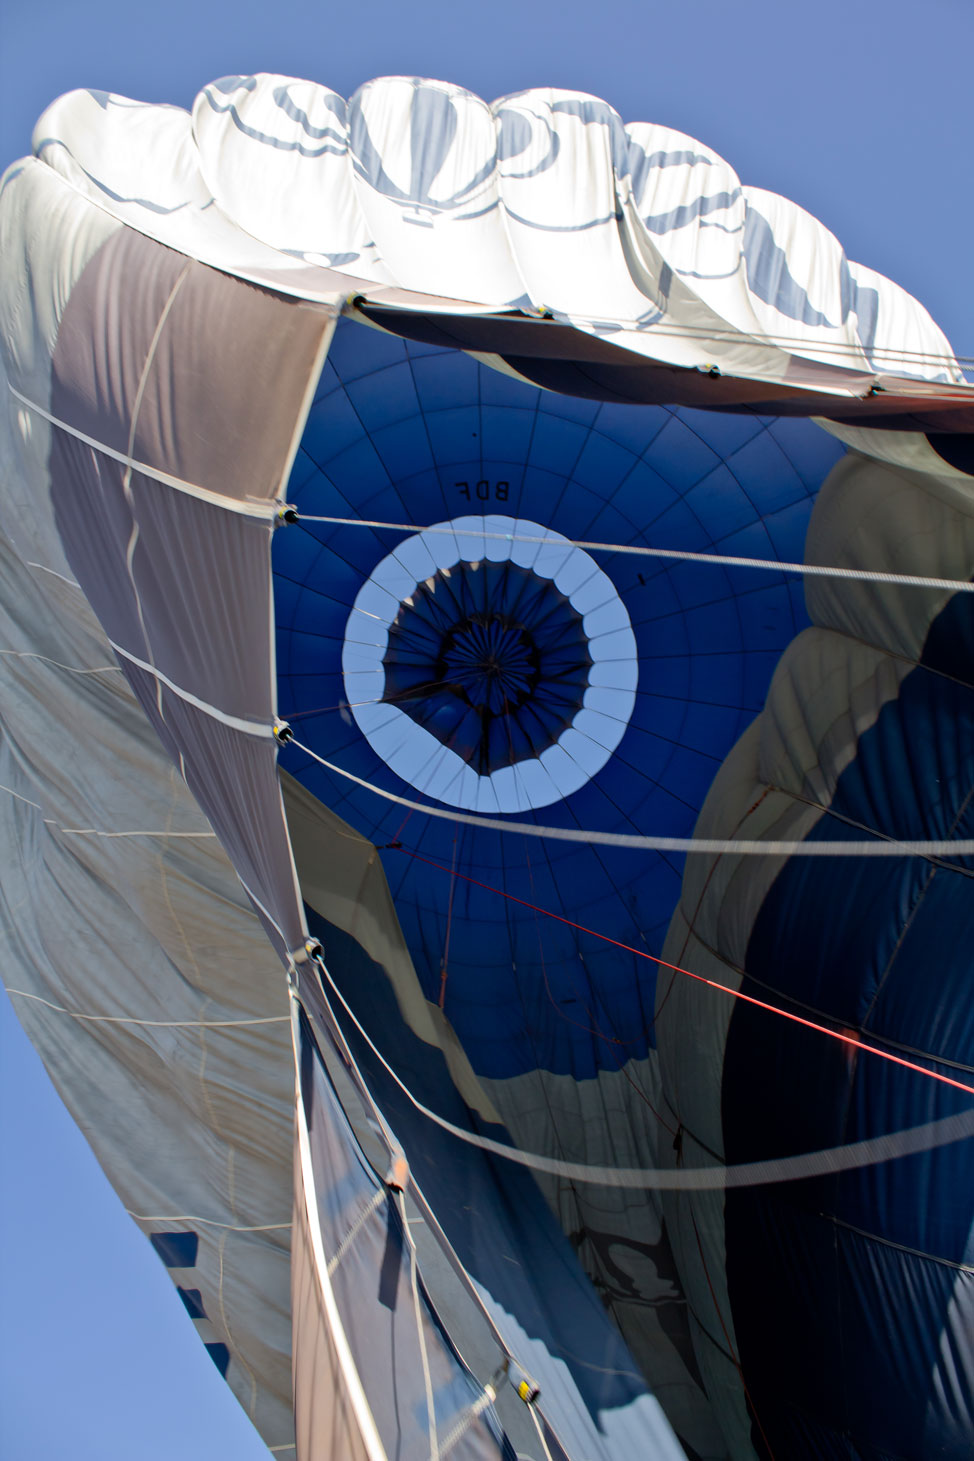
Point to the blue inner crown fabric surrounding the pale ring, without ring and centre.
(417, 435)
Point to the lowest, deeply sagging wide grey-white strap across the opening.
(699, 1180)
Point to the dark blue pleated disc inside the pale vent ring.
(491, 660)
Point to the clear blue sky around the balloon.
(858, 112)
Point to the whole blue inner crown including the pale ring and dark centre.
(636, 676)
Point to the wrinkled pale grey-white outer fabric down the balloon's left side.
(131, 952)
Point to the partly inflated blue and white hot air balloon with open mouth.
(488, 771)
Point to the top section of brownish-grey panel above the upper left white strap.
(227, 367)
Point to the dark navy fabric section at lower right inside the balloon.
(854, 1297)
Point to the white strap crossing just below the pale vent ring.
(716, 847)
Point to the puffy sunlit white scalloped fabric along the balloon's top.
(544, 202)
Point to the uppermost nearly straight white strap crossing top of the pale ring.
(808, 571)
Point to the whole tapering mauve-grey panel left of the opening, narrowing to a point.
(177, 582)
